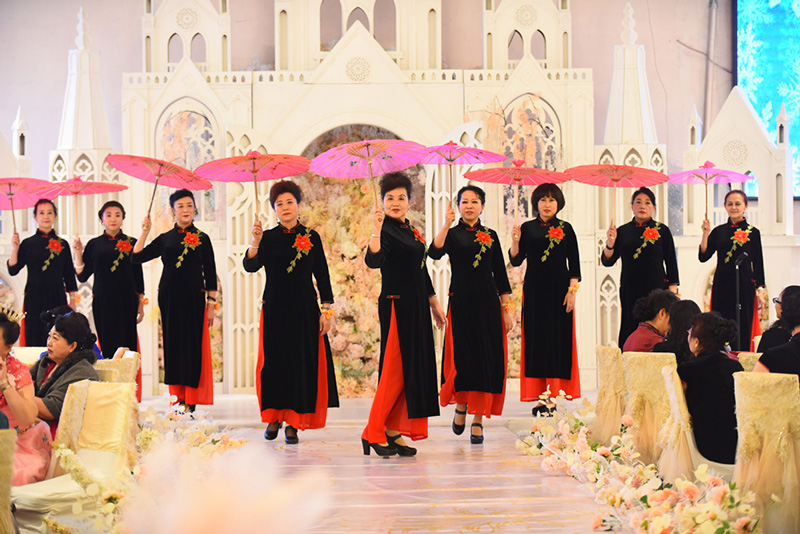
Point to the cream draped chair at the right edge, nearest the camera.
(768, 450)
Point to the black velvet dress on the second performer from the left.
(116, 289)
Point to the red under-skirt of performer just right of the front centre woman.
(478, 402)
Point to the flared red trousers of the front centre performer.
(389, 409)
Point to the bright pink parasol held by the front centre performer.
(365, 159)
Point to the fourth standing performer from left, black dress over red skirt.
(295, 378)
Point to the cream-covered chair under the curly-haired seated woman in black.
(680, 457)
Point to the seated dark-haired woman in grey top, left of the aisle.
(69, 359)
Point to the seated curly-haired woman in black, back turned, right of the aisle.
(708, 382)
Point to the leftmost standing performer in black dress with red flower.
(51, 274)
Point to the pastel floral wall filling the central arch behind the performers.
(341, 211)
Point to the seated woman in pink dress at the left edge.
(32, 449)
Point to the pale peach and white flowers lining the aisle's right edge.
(640, 500)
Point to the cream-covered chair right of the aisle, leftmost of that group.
(611, 395)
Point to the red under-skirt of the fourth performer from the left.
(300, 421)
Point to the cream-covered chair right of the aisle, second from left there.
(647, 399)
